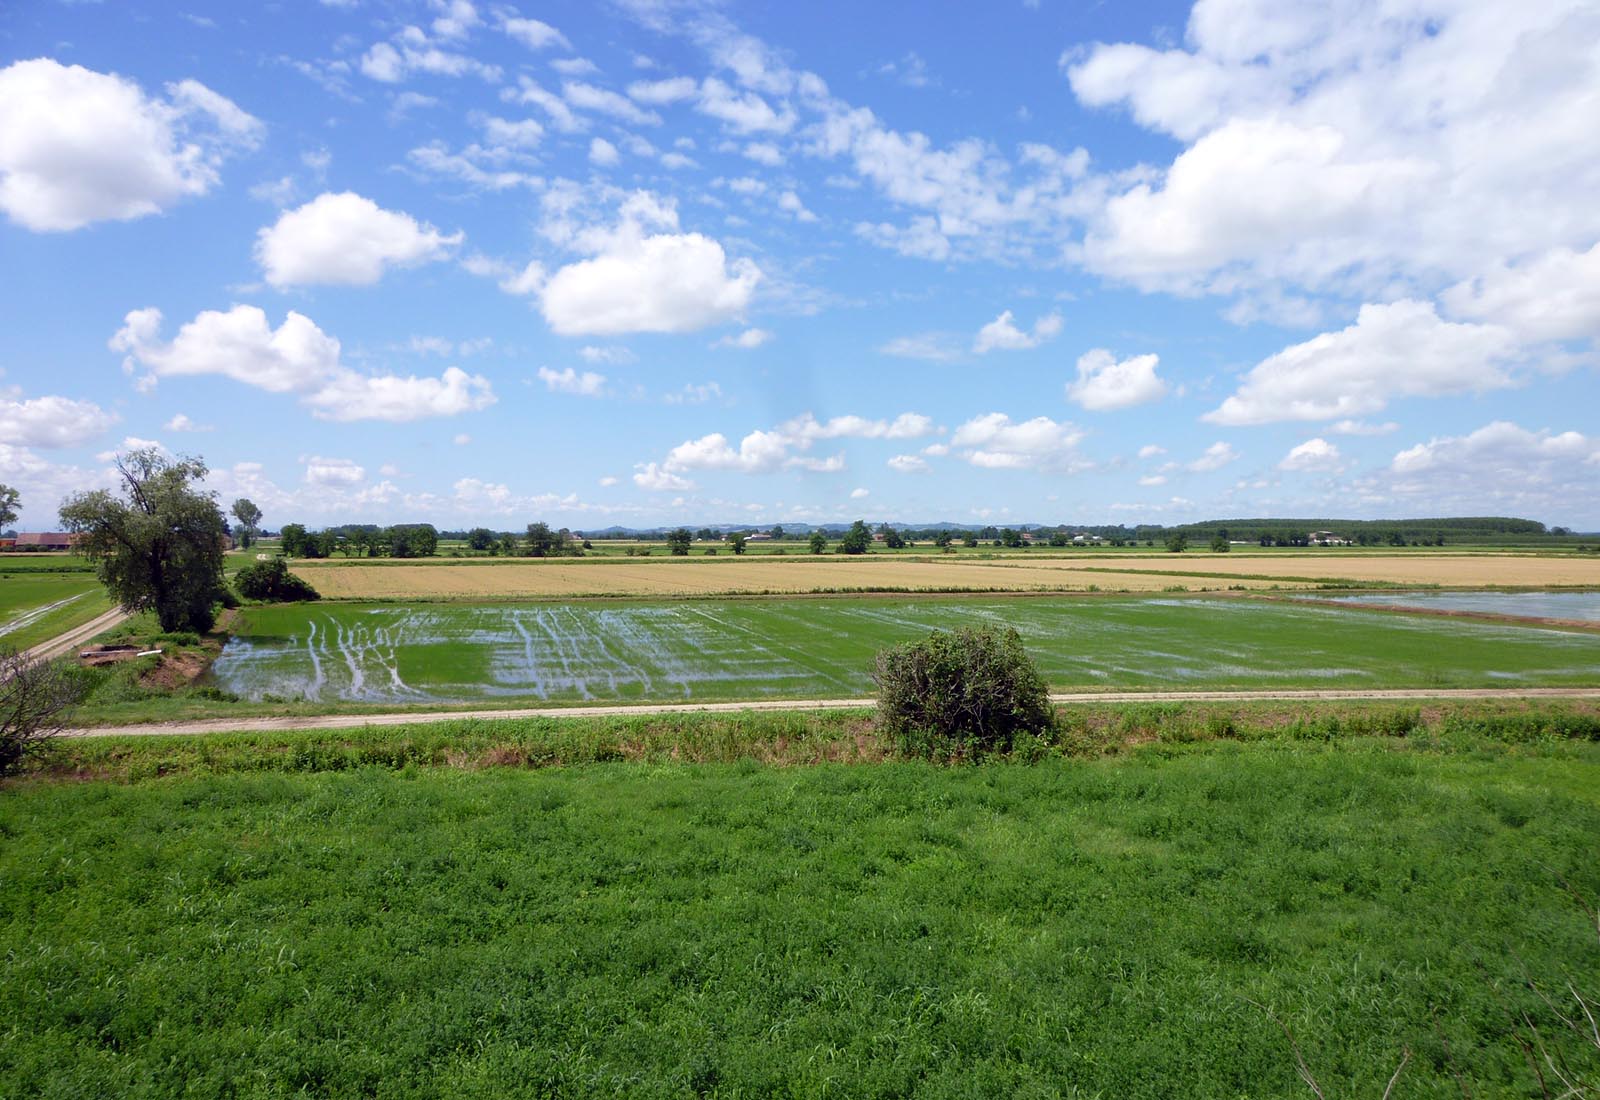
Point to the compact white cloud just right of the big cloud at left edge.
(345, 241)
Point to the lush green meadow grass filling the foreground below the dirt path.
(1081, 930)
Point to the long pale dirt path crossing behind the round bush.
(420, 719)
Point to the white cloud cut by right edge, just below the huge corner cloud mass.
(1554, 297)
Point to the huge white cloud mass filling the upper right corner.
(1353, 146)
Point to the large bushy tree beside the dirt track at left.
(159, 544)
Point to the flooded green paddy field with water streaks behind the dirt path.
(818, 648)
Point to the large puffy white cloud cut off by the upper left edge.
(81, 146)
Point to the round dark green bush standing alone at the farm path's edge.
(961, 693)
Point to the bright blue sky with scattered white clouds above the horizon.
(676, 261)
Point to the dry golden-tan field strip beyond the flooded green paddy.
(521, 578)
